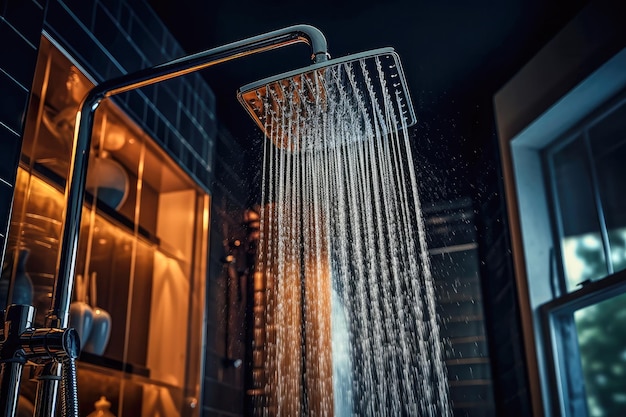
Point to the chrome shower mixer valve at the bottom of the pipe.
(20, 343)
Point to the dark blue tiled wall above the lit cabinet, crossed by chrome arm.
(109, 38)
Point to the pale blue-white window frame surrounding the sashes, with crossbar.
(537, 273)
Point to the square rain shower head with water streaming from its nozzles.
(372, 83)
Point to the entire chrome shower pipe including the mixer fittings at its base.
(57, 317)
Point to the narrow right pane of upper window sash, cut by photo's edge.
(608, 142)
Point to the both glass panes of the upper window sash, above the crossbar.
(587, 175)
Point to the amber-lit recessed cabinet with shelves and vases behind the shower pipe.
(142, 250)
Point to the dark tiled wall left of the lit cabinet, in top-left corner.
(20, 31)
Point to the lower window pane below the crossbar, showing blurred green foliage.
(602, 343)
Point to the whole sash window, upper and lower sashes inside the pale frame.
(584, 322)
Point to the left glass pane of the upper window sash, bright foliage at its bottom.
(583, 250)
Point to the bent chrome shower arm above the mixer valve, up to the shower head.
(58, 315)
